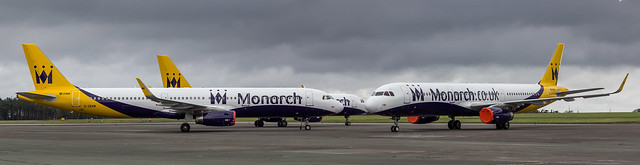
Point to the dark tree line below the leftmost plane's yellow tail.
(16, 109)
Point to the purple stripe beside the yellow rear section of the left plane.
(129, 110)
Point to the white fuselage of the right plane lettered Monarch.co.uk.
(409, 99)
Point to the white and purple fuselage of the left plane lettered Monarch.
(247, 102)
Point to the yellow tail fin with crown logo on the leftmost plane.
(44, 74)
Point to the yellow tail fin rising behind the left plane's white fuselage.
(171, 76)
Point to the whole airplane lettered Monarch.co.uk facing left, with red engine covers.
(495, 103)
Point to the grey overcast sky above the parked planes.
(351, 46)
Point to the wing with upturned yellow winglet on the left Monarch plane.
(179, 106)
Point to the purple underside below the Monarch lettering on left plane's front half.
(280, 111)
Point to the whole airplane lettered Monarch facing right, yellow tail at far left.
(208, 106)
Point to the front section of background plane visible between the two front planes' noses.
(353, 105)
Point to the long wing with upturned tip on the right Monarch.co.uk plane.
(511, 105)
